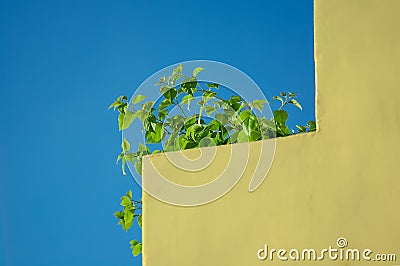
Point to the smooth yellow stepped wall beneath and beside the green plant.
(342, 181)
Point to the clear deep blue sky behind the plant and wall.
(63, 62)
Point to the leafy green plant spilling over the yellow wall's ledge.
(234, 121)
